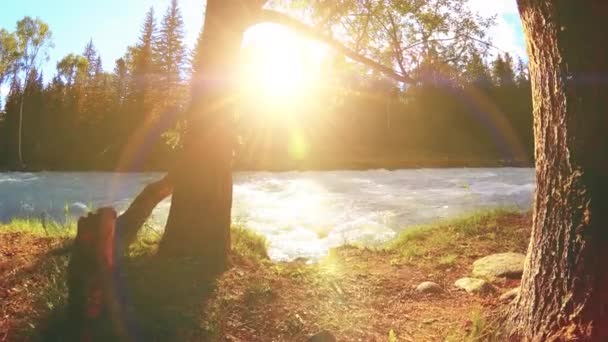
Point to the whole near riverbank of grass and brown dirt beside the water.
(355, 293)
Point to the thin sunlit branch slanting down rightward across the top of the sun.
(266, 15)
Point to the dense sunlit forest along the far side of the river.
(460, 112)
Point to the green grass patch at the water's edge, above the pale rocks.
(443, 241)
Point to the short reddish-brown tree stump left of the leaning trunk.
(92, 300)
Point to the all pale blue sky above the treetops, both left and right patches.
(115, 24)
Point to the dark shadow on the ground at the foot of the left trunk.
(158, 299)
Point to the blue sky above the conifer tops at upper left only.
(112, 24)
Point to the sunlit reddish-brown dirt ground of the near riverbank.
(357, 294)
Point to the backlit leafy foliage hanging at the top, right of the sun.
(405, 33)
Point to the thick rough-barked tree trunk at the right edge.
(564, 290)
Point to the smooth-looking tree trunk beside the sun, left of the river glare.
(199, 219)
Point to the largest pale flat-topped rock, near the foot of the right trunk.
(502, 265)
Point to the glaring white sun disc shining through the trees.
(278, 67)
